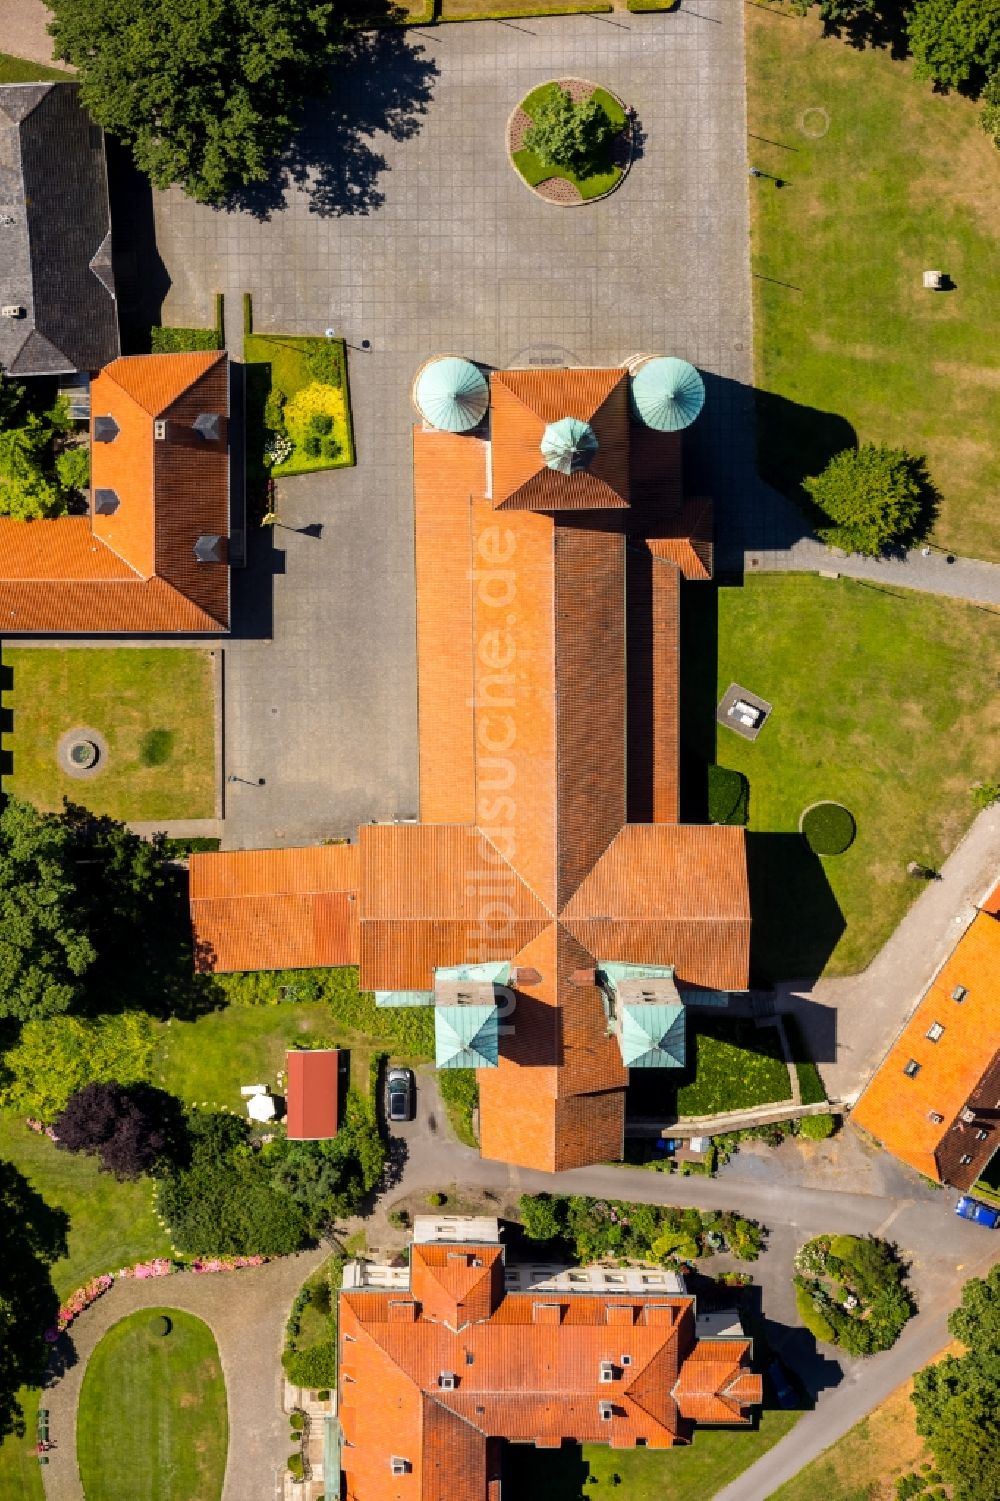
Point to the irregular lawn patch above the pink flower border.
(110, 1224)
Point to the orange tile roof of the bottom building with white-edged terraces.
(523, 1368)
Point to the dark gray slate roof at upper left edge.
(55, 235)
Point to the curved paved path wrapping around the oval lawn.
(247, 1313)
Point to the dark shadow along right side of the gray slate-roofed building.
(140, 277)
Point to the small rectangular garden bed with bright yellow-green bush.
(298, 393)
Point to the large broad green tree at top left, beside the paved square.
(205, 92)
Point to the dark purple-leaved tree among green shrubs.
(130, 1130)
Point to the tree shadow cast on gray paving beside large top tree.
(382, 86)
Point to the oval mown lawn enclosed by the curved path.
(152, 1416)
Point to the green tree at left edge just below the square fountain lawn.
(46, 945)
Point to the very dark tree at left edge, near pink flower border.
(35, 1238)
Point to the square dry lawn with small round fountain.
(155, 708)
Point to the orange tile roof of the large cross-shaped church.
(532, 675)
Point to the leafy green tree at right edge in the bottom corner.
(959, 1398)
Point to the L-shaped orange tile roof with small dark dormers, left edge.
(134, 570)
